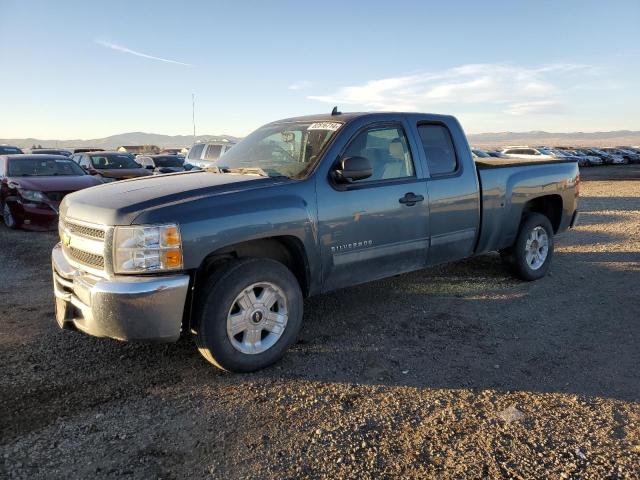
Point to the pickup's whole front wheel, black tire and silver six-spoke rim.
(251, 313)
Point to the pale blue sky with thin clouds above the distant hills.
(88, 69)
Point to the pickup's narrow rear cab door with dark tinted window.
(453, 189)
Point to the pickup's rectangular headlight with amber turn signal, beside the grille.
(147, 248)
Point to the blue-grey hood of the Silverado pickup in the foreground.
(119, 203)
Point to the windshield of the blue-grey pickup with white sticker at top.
(285, 149)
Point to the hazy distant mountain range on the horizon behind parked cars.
(618, 137)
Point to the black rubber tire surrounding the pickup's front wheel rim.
(219, 295)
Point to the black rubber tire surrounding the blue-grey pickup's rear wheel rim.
(517, 255)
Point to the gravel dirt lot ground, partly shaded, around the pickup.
(457, 372)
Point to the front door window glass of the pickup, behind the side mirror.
(388, 151)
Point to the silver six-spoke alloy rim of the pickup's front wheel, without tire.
(257, 318)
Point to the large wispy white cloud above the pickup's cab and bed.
(520, 89)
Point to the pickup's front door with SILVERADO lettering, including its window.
(376, 227)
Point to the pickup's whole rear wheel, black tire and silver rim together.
(530, 257)
